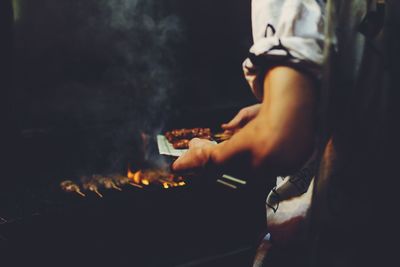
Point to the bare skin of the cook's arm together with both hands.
(276, 138)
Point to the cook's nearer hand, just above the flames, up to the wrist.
(196, 157)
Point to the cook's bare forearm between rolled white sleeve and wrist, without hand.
(281, 137)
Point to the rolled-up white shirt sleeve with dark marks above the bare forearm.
(285, 32)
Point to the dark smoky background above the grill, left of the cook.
(81, 80)
